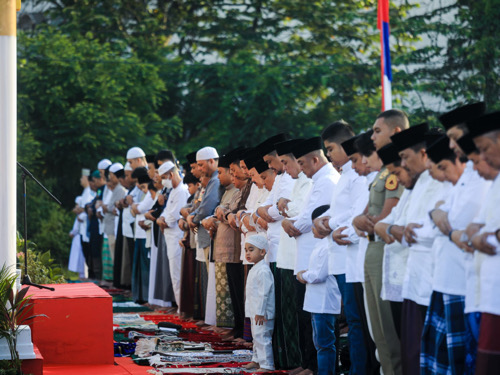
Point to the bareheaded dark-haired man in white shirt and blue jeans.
(349, 190)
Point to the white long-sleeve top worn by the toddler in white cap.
(259, 292)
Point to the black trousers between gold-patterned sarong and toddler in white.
(236, 281)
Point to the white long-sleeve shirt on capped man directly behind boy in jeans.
(324, 182)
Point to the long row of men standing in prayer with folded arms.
(410, 228)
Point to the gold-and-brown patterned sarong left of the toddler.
(224, 307)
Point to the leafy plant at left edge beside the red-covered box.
(15, 310)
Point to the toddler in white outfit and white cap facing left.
(259, 303)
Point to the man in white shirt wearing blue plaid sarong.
(446, 346)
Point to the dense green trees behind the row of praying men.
(99, 76)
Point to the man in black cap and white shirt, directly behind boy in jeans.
(314, 164)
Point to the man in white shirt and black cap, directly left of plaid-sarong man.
(411, 145)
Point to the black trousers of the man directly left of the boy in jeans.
(307, 349)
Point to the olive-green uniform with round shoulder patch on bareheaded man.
(383, 187)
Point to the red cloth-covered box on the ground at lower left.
(78, 328)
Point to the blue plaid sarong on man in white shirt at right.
(445, 336)
